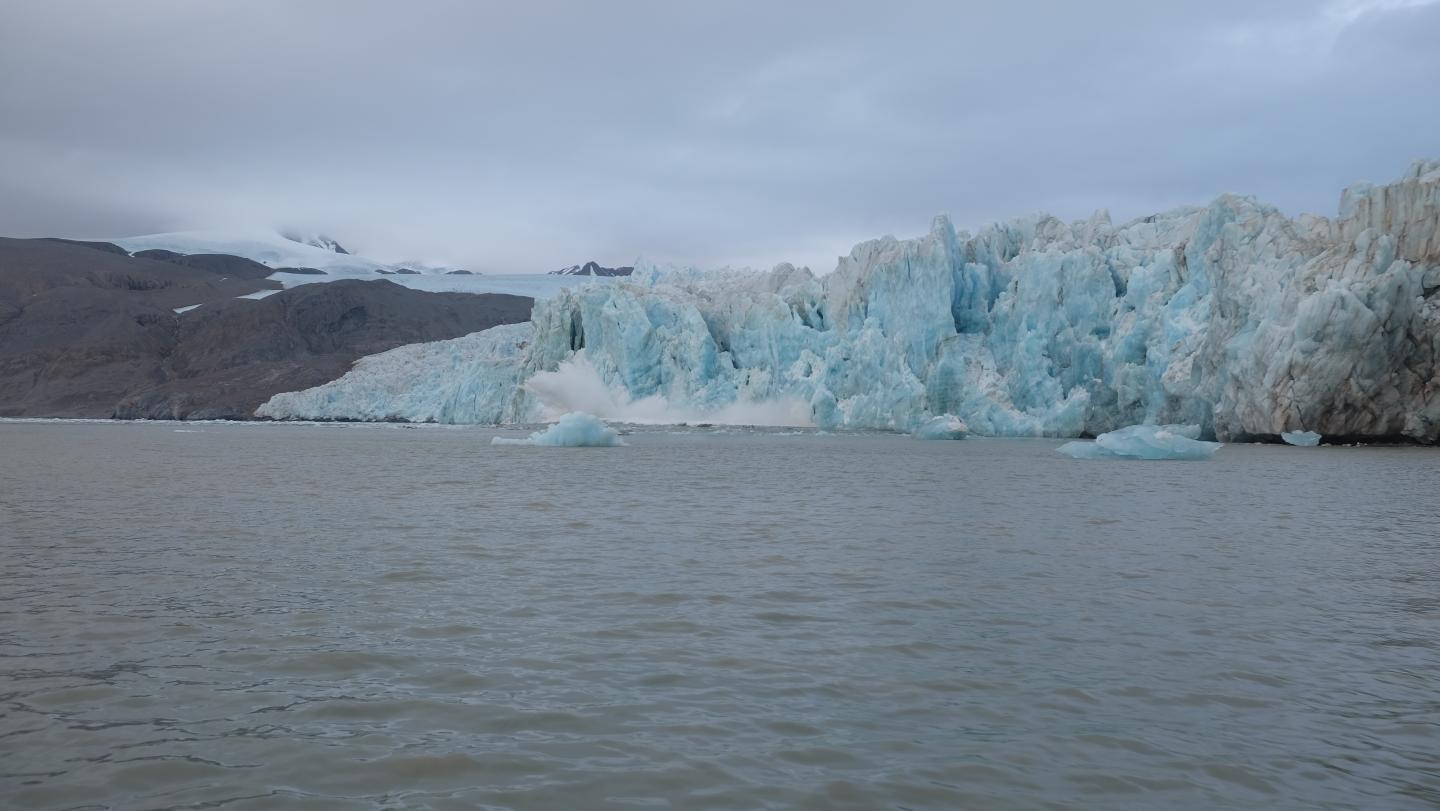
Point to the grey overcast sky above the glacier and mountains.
(535, 135)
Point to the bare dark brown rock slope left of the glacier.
(91, 333)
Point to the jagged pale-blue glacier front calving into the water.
(1232, 318)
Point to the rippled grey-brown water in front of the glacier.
(377, 617)
